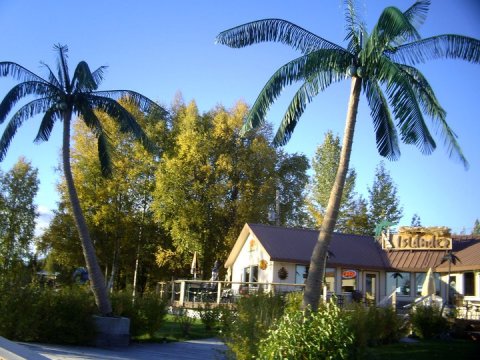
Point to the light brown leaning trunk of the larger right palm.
(316, 274)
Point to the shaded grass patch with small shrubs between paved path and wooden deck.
(171, 330)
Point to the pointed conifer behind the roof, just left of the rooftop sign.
(384, 201)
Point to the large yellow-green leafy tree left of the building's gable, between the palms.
(207, 183)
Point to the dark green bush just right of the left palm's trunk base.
(146, 314)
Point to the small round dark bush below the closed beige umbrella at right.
(427, 321)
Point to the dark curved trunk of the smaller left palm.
(97, 281)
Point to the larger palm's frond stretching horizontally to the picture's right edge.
(448, 46)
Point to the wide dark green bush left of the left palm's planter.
(32, 313)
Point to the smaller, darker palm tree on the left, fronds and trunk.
(59, 97)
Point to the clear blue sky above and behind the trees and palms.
(160, 48)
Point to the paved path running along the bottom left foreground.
(187, 350)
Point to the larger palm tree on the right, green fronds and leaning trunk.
(380, 65)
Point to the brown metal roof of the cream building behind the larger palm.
(296, 245)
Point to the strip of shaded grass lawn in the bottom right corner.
(431, 350)
